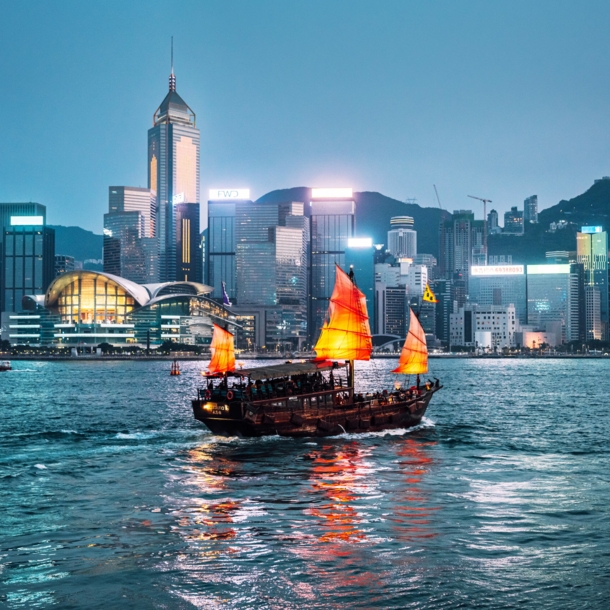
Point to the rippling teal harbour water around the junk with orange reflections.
(112, 496)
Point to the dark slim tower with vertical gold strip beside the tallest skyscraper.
(188, 256)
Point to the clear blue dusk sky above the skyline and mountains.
(500, 100)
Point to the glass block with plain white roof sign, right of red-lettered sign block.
(553, 296)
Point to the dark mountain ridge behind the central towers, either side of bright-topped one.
(373, 214)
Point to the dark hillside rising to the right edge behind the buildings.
(590, 208)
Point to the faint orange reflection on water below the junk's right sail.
(412, 513)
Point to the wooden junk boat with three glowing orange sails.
(316, 397)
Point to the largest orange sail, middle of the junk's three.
(347, 335)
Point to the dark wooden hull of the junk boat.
(246, 420)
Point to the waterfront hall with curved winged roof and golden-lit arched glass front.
(86, 308)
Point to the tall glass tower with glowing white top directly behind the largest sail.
(332, 218)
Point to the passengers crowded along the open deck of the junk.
(306, 384)
